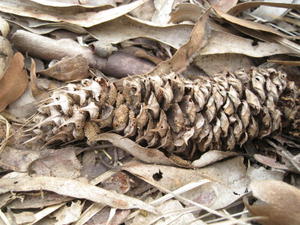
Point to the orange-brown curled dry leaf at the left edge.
(14, 82)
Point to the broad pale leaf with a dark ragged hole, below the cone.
(228, 180)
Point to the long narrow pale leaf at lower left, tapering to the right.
(72, 188)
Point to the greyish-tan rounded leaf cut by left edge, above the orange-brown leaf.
(5, 56)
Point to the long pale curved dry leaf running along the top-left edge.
(72, 15)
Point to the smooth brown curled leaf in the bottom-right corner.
(280, 202)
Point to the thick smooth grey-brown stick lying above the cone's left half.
(117, 65)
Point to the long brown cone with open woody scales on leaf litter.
(173, 113)
